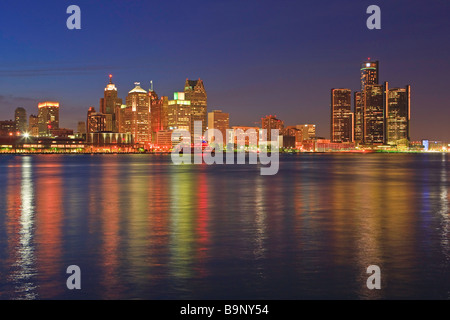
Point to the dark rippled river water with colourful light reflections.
(140, 227)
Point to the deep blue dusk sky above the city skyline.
(256, 57)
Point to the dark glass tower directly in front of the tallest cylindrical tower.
(374, 115)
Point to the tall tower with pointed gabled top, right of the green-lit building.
(195, 92)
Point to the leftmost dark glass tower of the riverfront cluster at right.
(341, 115)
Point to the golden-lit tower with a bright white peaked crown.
(137, 119)
